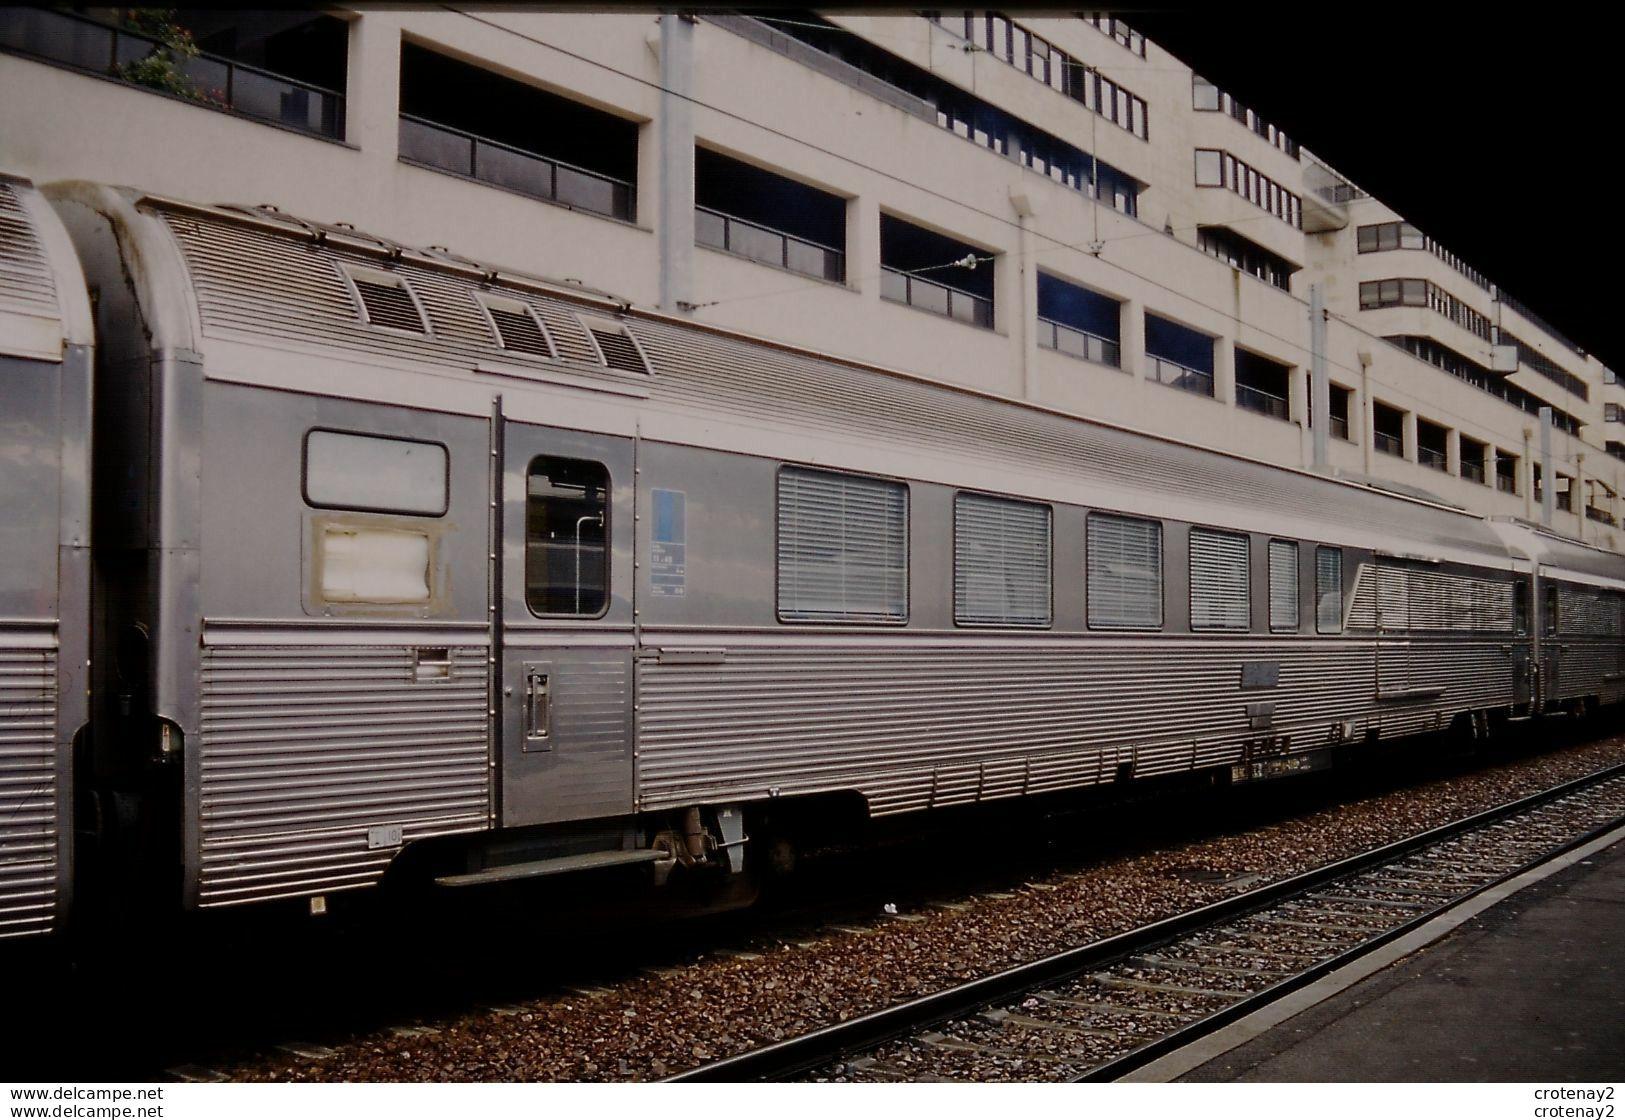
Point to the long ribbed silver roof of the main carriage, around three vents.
(258, 279)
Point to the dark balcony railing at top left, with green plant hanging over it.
(220, 84)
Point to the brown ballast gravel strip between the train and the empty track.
(656, 1025)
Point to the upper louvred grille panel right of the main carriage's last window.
(1406, 599)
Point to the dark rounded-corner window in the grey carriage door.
(566, 532)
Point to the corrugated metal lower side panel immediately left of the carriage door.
(308, 749)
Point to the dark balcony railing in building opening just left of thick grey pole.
(464, 154)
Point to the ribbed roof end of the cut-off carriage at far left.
(43, 302)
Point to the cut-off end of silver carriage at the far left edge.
(45, 553)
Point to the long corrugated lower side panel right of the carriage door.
(912, 727)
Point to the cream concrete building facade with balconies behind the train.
(1049, 209)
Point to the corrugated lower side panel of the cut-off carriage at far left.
(28, 786)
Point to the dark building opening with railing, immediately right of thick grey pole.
(768, 219)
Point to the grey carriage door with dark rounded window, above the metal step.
(566, 636)
